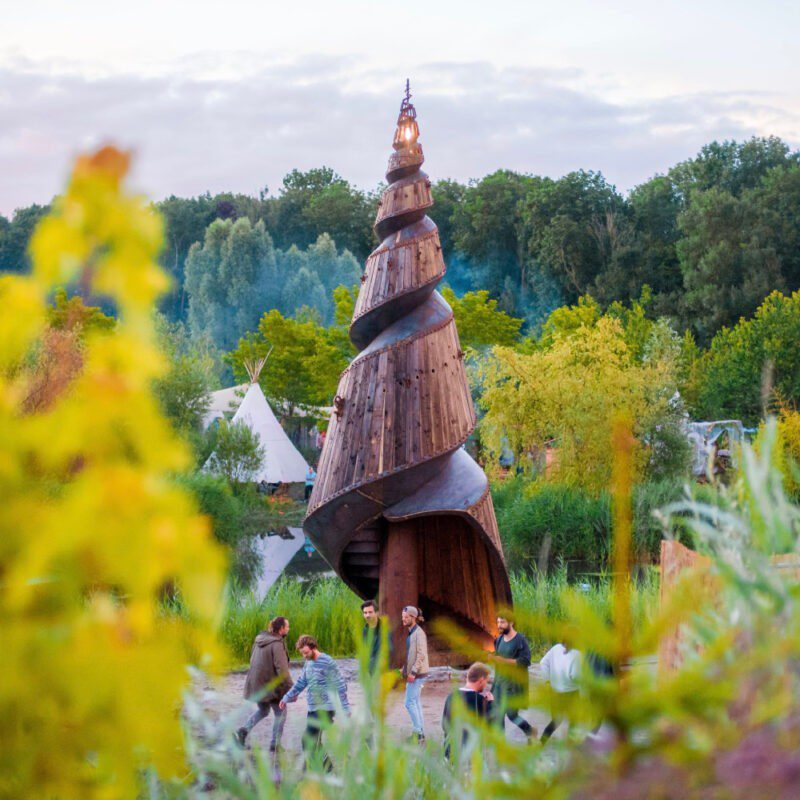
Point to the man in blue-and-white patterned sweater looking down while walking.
(324, 682)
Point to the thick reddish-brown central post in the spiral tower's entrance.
(399, 580)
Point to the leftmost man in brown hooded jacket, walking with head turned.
(268, 680)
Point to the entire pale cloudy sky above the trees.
(230, 96)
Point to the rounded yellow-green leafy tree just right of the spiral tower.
(566, 395)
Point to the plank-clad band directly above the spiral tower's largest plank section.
(392, 271)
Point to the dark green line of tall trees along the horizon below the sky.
(710, 238)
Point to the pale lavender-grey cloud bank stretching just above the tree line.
(214, 123)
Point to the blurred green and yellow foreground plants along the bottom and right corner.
(724, 725)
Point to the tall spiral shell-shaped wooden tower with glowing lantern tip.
(399, 509)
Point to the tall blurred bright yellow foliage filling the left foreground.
(92, 531)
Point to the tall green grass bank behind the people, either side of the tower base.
(327, 609)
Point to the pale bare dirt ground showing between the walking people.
(222, 700)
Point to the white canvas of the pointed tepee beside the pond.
(283, 462)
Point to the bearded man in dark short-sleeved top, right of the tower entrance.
(512, 655)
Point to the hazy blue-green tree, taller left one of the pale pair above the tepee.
(230, 279)
